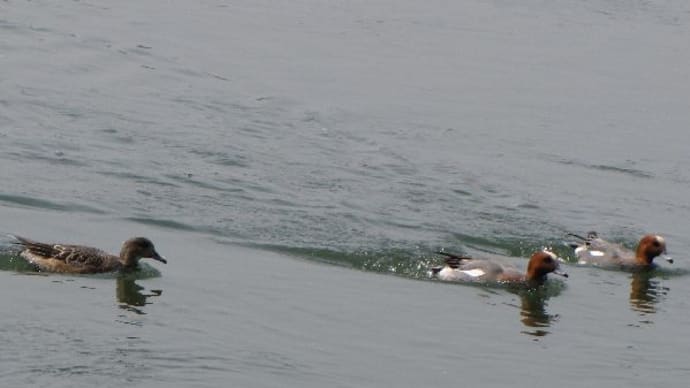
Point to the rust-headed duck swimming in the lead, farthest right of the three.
(592, 249)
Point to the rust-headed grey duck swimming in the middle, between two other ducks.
(468, 269)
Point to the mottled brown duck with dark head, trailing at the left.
(79, 259)
